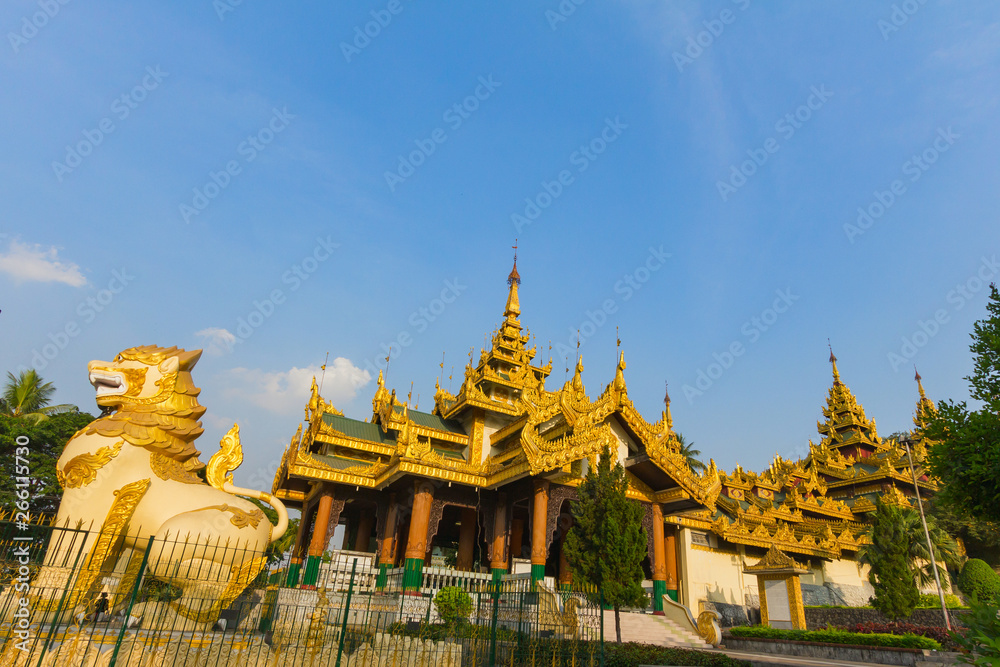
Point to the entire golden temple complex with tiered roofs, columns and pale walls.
(494, 467)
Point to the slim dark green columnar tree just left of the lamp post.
(888, 556)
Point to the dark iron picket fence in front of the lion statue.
(71, 596)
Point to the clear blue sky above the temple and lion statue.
(688, 173)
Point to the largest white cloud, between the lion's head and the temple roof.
(286, 392)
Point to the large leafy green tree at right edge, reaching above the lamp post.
(966, 457)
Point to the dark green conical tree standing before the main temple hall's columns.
(606, 544)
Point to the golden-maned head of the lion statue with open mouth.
(153, 401)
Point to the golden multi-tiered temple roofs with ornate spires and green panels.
(504, 425)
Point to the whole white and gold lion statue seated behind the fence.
(133, 475)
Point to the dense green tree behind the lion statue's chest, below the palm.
(46, 440)
